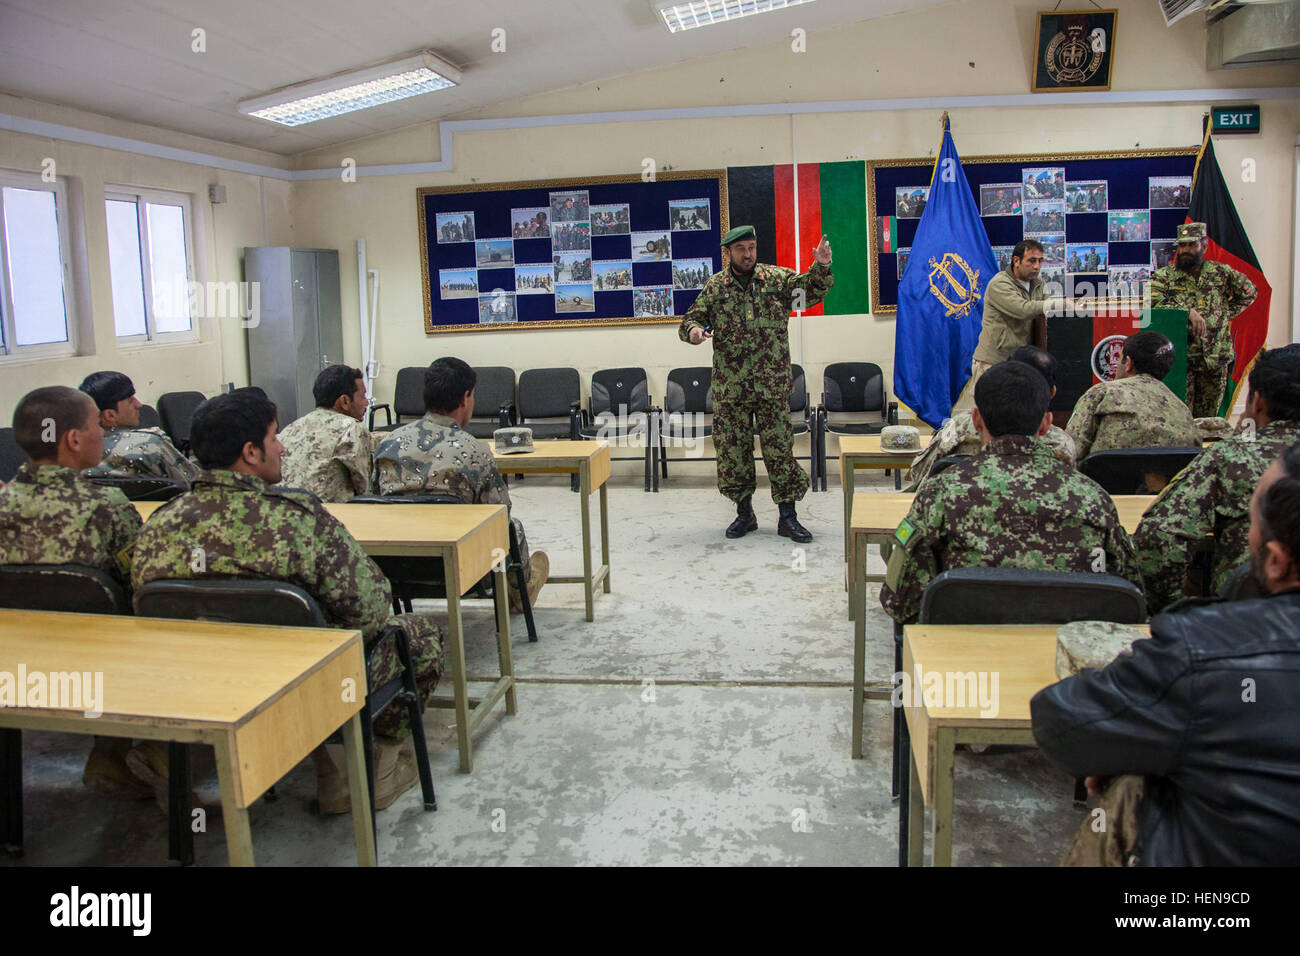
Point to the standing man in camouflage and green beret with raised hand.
(747, 308)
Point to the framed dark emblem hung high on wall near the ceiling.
(1074, 50)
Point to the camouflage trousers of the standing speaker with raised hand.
(735, 423)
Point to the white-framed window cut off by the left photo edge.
(37, 314)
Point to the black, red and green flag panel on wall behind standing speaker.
(833, 202)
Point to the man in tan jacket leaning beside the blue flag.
(1013, 300)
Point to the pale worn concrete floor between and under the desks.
(736, 754)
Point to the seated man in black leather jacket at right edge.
(1195, 764)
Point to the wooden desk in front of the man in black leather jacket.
(1022, 657)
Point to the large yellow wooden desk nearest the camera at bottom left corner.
(263, 697)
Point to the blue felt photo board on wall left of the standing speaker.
(492, 207)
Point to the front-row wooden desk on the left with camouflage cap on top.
(591, 462)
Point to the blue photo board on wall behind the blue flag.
(1102, 217)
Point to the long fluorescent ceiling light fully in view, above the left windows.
(345, 93)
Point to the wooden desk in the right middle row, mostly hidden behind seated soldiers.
(876, 517)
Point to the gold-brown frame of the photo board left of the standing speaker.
(723, 224)
